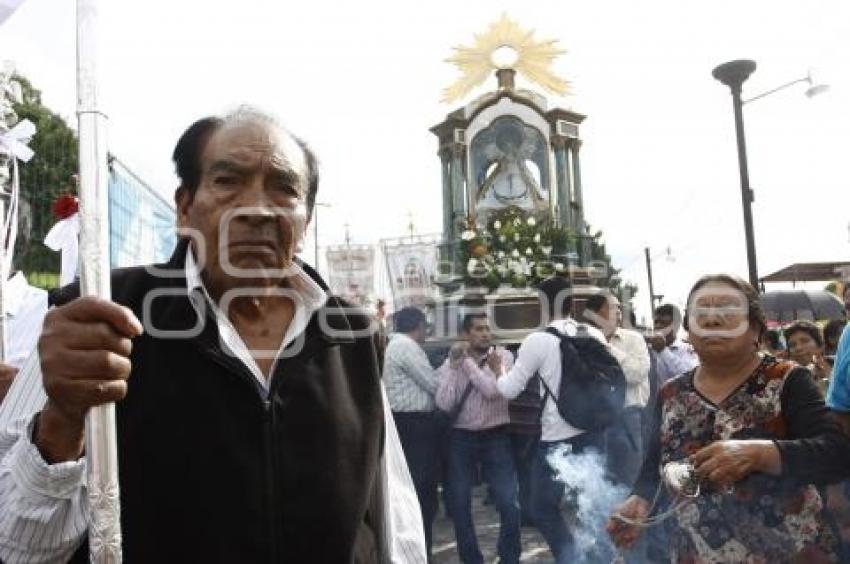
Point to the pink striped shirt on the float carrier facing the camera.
(485, 408)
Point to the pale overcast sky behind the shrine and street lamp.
(362, 82)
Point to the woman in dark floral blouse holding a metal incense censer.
(757, 436)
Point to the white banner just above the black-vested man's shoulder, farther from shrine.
(351, 273)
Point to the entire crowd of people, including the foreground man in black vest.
(283, 429)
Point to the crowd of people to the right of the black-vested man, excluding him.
(742, 406)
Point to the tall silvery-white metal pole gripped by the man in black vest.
(101, 443)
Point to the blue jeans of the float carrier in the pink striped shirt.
(492, 449)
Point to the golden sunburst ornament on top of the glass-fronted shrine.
(505, 45)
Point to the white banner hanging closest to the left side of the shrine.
(411, 268)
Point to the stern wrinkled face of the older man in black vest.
(250, 205)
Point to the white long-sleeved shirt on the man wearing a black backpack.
(540, 353)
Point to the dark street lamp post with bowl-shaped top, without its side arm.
(733, 74)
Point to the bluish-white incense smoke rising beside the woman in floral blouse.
(590, 498)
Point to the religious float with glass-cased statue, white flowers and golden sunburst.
(513, 211)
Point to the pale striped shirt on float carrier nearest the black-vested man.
(408, 376)
